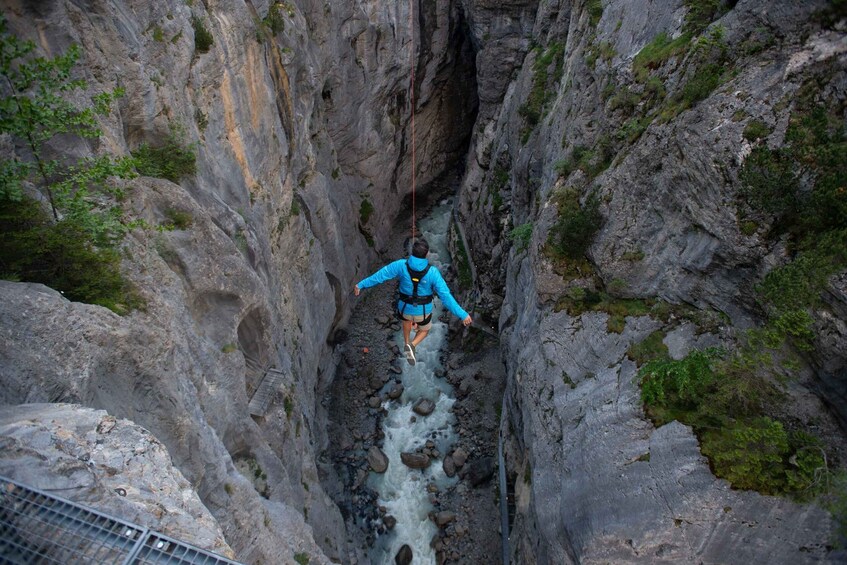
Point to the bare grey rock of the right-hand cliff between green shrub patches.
(597, 482)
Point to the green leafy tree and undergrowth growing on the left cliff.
(60, 216)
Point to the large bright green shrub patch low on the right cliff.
(726, 409)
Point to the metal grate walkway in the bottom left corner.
(39, 528)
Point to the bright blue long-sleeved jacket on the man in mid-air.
(431, 283)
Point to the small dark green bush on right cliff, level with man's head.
(574, 231)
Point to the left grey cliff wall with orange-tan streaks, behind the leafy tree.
(299, 118)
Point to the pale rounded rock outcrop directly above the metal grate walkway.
(107, 464)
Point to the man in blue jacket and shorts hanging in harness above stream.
(418, 281)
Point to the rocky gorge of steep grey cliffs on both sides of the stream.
(644, 120)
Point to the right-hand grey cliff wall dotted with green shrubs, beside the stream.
(610, 197)
